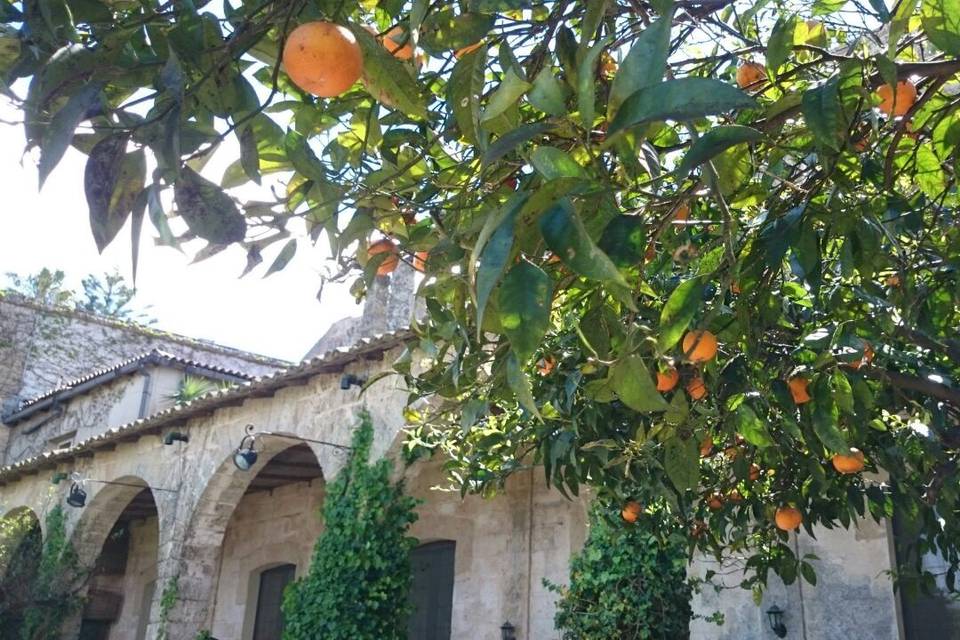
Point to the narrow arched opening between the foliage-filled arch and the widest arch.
(118, 537)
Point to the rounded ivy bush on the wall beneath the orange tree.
(628, 583)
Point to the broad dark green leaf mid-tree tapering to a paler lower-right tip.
(565, 235)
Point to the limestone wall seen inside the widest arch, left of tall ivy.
(266, 529)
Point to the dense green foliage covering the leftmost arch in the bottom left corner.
(40, 578)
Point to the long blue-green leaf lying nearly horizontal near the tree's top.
(682, 99)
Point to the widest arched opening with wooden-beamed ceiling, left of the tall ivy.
(262, 542)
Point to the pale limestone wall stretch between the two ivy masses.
(506, 546)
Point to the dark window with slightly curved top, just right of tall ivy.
(432, 591)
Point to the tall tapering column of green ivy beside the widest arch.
(359, 576)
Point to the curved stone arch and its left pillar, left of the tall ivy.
(201, 557)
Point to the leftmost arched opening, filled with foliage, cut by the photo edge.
(21, 542)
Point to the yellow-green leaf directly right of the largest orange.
(387, 78)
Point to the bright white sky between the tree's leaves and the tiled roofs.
(277, 316)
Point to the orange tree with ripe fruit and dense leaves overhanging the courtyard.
(694, 253)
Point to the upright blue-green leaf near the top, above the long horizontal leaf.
(644, 65)
